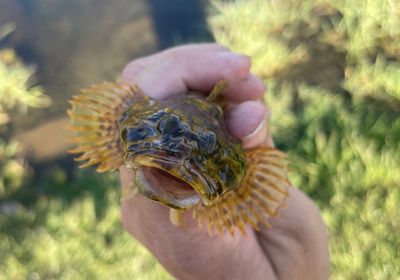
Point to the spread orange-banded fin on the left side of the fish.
(94, 121)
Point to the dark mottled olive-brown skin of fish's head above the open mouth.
(191, 129)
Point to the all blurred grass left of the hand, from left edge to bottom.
(51, 228)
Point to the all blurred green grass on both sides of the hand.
(333, 73)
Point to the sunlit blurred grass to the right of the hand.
(332, 68)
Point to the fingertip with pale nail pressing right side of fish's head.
(248, 121)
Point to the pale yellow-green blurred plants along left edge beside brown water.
(15, 99)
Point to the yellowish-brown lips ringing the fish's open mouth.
(205, 189)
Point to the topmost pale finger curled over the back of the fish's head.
(192, 71)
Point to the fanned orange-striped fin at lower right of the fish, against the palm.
(261, 193)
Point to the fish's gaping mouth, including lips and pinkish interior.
(171, 181)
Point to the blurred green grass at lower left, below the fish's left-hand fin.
(56, 230)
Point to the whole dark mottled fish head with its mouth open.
(181, 151)
